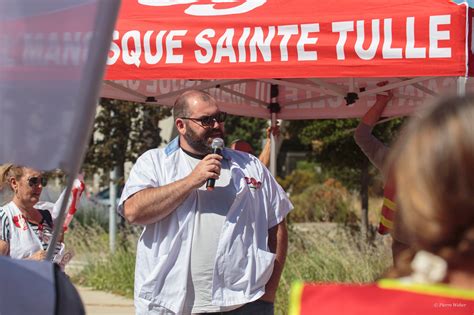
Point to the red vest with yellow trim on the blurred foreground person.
(387, 297)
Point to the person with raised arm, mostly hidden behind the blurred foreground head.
(377, 152)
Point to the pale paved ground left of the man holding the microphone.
(102, 303)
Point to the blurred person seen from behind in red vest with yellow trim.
(433, 165)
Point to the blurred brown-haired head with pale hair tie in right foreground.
(434, 174)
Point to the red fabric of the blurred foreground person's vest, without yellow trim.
(332, 299)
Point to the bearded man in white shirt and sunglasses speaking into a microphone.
(219, 251)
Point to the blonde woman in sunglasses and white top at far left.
(24, 230)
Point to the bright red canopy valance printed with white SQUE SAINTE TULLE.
(310, 23)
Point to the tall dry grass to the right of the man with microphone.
(331, 253)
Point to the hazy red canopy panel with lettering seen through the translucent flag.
(36, 42)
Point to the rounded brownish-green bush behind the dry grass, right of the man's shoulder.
(327, 202)
